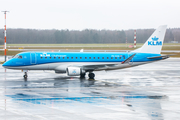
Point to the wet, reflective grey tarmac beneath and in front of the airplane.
(146, 92)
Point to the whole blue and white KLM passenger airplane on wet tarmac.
(80, 63)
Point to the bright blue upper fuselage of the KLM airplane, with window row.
(27, 59)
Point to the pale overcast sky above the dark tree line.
(90, 14)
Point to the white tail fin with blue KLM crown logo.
(155, 42)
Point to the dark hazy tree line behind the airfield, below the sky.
(34, 36)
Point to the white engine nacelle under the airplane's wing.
(74, 71)
